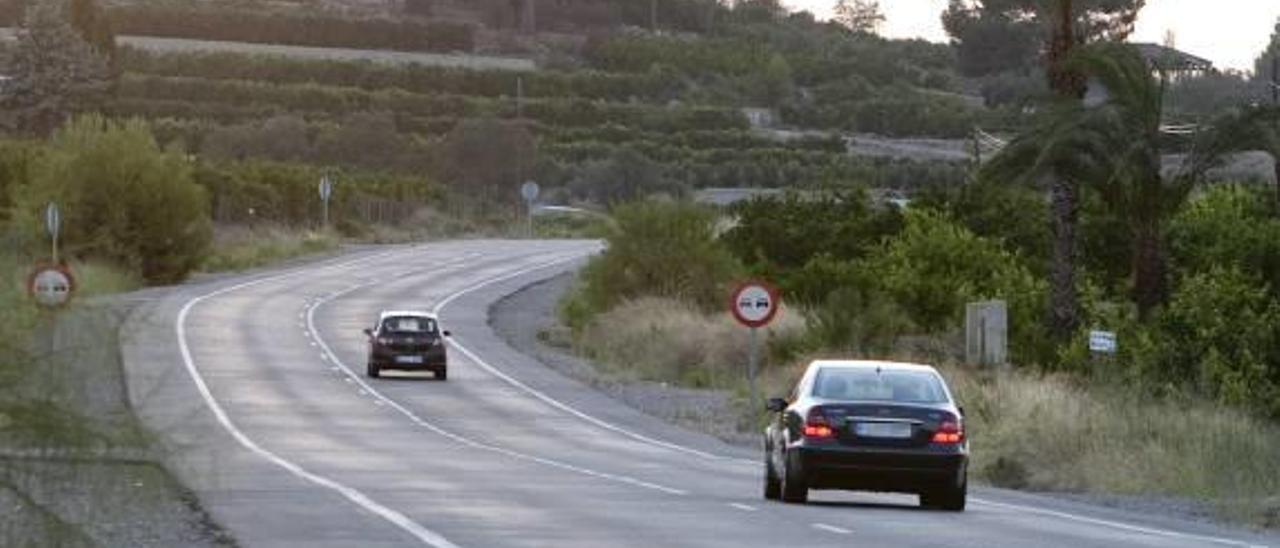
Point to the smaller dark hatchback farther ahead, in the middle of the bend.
(409, 342)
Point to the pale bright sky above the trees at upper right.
(1228, 33)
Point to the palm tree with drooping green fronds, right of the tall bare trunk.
(1117, 149)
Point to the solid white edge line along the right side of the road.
(607, 426)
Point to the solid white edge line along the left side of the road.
(427, 536)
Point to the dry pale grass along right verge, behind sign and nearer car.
(1030, 431)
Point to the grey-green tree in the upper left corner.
(54, 74)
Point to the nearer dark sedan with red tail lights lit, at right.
(867, 426)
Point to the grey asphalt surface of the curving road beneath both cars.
(257, 387)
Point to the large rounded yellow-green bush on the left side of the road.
(124, 198)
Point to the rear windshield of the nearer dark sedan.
(879, 386)
